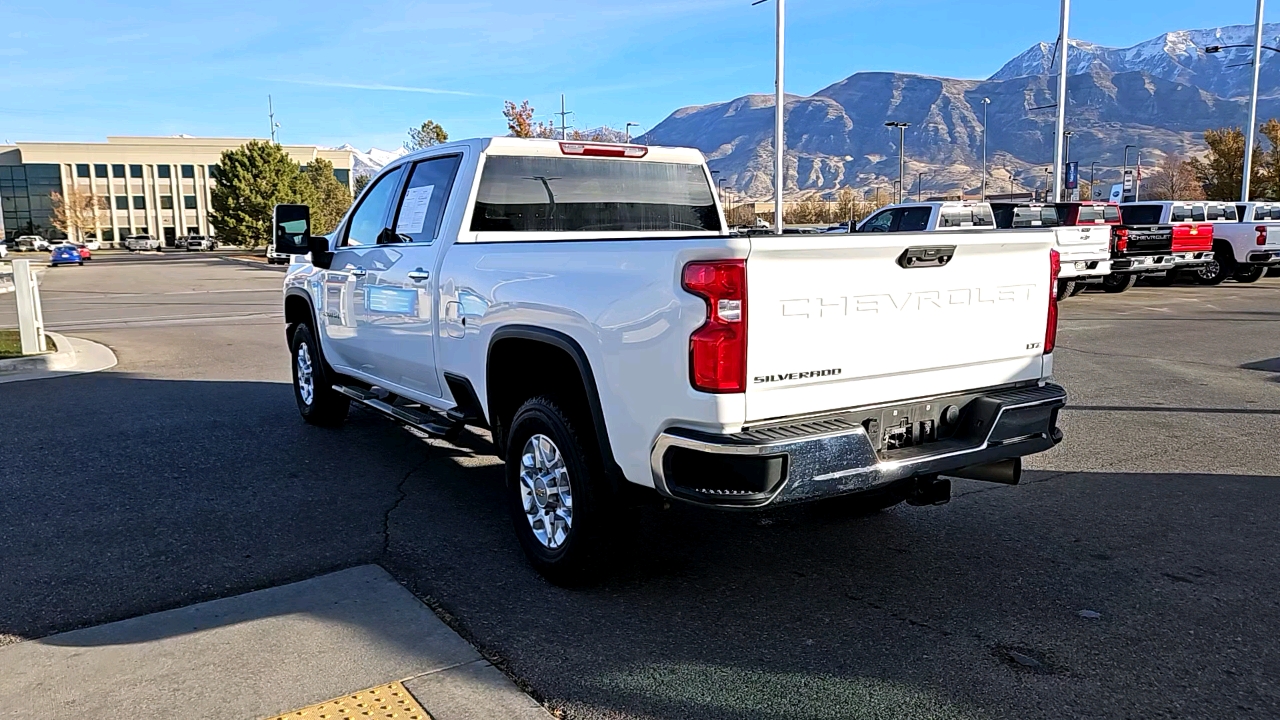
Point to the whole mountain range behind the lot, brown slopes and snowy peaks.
(1159, 95)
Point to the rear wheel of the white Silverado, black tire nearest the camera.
(577, 557)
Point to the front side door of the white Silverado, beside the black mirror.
(344, 303)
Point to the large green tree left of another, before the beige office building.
(252, 181)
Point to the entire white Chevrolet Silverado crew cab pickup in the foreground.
(587, 304)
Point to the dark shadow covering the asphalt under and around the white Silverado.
(126, 496)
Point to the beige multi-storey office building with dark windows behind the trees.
(158, 186)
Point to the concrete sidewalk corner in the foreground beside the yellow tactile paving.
(263, 654)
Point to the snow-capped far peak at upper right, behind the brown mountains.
(1177, 57)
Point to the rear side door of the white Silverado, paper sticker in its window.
(401, 331)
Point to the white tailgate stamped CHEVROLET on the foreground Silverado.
(843, 321)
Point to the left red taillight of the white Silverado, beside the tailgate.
(717, 352)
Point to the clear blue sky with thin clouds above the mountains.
(364, 72)
